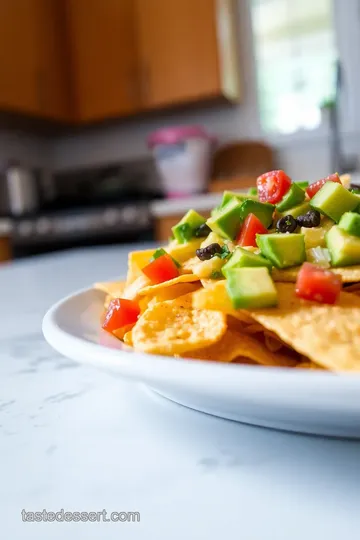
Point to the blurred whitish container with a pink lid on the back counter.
(182, 156)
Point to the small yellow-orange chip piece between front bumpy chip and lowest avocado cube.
(216, 297)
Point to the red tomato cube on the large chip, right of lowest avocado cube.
(318, 284)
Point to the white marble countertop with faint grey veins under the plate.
(79, 439)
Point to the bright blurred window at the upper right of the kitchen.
(295, 61)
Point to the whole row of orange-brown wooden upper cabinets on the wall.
(83, 61)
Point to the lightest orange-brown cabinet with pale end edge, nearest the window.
(187, 51)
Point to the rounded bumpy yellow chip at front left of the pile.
(166, 328)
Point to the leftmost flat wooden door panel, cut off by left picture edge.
(20, 69)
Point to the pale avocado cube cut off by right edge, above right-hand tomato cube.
(344, 248)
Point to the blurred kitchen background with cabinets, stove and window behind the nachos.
(116, 116)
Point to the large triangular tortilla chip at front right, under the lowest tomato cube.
(327, 335)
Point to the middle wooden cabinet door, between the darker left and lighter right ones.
(104, 57)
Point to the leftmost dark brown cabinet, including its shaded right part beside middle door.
(32, 81)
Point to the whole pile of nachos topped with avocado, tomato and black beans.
(271, 278)
